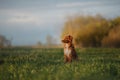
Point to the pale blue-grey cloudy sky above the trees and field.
(28, 21)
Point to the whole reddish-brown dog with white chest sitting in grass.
(69, 50)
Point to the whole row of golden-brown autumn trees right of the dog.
(93, 31)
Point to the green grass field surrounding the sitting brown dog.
(48, 64)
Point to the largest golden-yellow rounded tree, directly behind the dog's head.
(88, 31)
